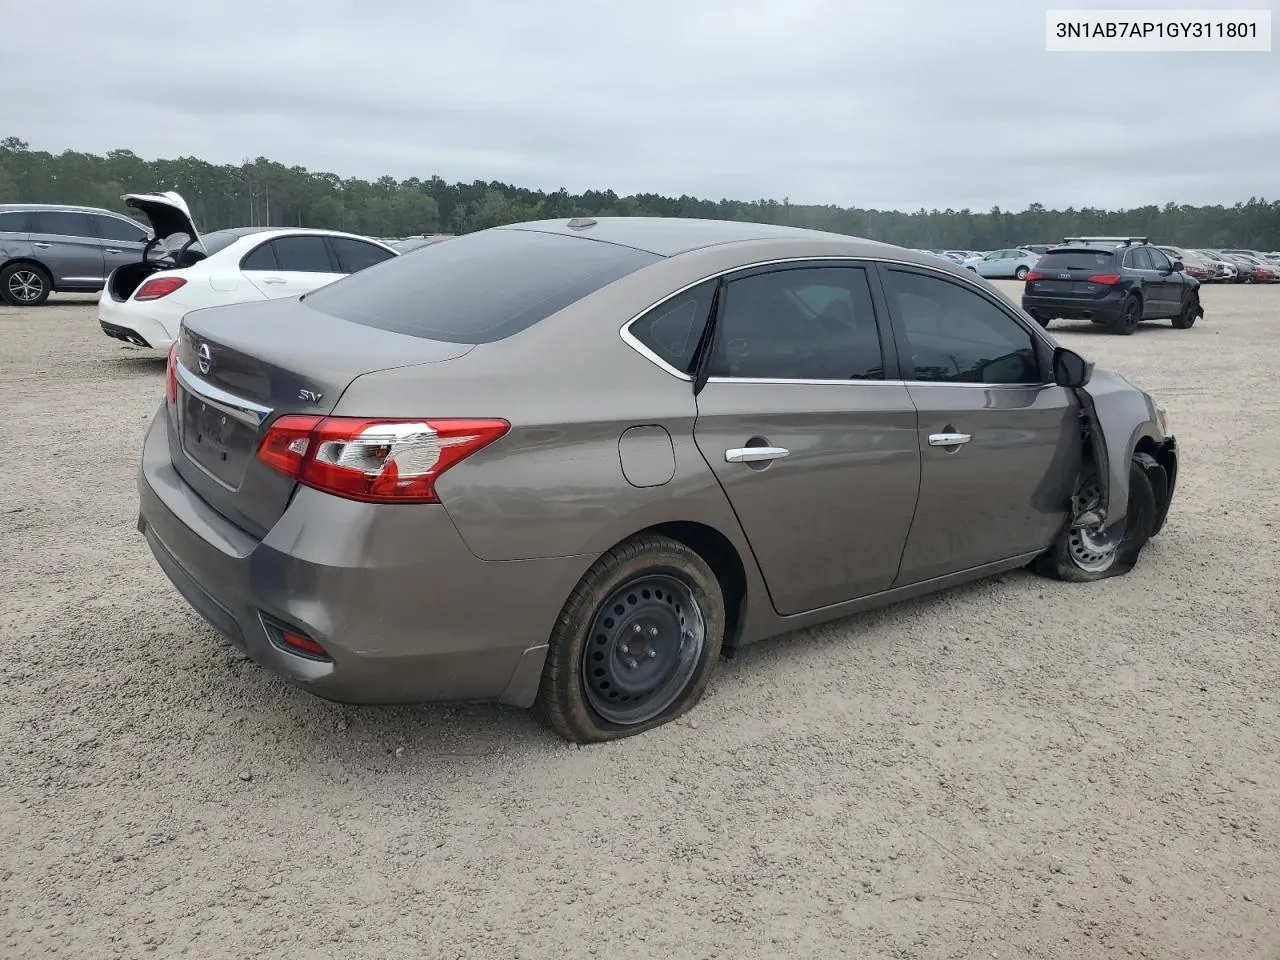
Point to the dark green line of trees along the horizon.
(266, 193)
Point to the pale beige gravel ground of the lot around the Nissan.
(1014, 769)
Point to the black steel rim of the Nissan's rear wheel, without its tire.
(644, 647)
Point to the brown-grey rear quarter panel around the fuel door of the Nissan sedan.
(570, 387)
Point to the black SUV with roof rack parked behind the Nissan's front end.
(1112, 281)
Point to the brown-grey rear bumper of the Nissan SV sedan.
(406, 612)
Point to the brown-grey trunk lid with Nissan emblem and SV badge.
(243, 367)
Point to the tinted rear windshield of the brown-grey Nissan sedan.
(478, 289)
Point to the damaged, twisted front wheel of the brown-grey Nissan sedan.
(1082, 554)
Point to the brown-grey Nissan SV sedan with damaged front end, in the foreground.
(572, 464)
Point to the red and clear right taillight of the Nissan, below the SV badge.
(376, 461)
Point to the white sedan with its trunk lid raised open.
(182, 271)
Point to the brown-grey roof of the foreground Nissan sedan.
(673, 236)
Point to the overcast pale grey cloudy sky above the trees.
(870, 103)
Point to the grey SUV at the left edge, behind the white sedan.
(48, 248)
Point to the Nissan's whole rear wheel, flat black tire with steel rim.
(592, 644)
